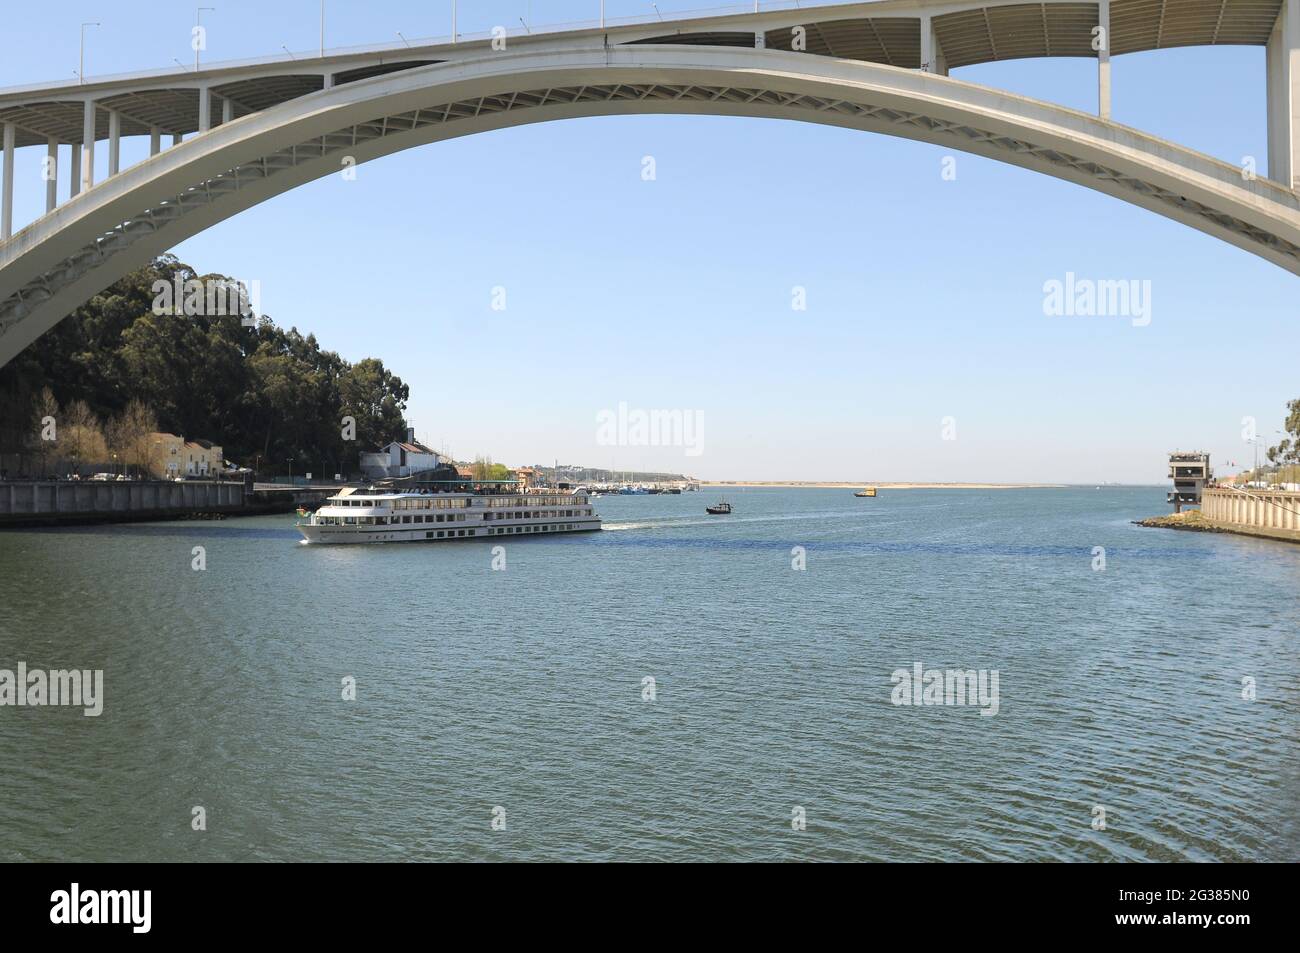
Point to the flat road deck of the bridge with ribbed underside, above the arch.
(887, 32)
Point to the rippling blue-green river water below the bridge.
(508, 714)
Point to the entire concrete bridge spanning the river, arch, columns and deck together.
(267, 128)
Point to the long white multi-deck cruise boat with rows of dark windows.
(376, 516)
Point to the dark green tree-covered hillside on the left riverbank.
(116, 370)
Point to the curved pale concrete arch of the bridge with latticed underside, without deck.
(71, 254)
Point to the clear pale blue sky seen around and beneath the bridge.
(925, 296)
